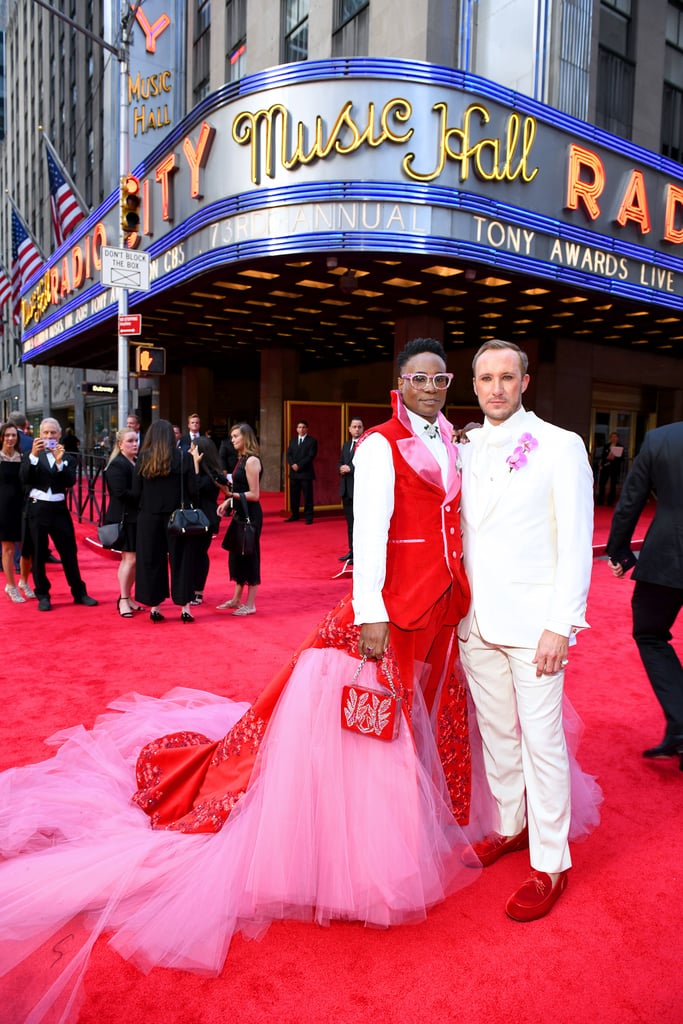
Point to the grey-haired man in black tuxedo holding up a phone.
(48, 472)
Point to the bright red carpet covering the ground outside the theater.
(610, 952)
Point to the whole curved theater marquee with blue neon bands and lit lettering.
(382, 156)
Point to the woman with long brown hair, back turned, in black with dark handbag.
(157, 487)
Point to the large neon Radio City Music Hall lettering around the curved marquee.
(466, 147)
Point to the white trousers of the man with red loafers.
(521, 720)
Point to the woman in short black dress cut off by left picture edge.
(12, 510)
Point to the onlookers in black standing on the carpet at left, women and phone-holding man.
(147, 480)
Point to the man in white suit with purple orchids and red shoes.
(528, 527)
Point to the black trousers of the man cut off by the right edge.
(655, 612)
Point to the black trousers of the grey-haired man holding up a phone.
(53, 521)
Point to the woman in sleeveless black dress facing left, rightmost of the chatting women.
(245, 570)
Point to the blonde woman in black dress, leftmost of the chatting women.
(123, 508)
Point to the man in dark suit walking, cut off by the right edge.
(658, 596)
